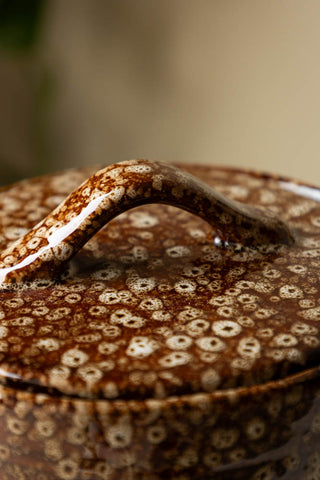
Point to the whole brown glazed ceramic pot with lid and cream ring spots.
(174, 343)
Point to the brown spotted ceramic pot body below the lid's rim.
(259, 433)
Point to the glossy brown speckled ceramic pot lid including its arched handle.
(220, 292)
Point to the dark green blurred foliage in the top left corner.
(19, 24)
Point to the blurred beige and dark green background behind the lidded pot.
(205, 81)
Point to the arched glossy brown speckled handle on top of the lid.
(44, 250)
